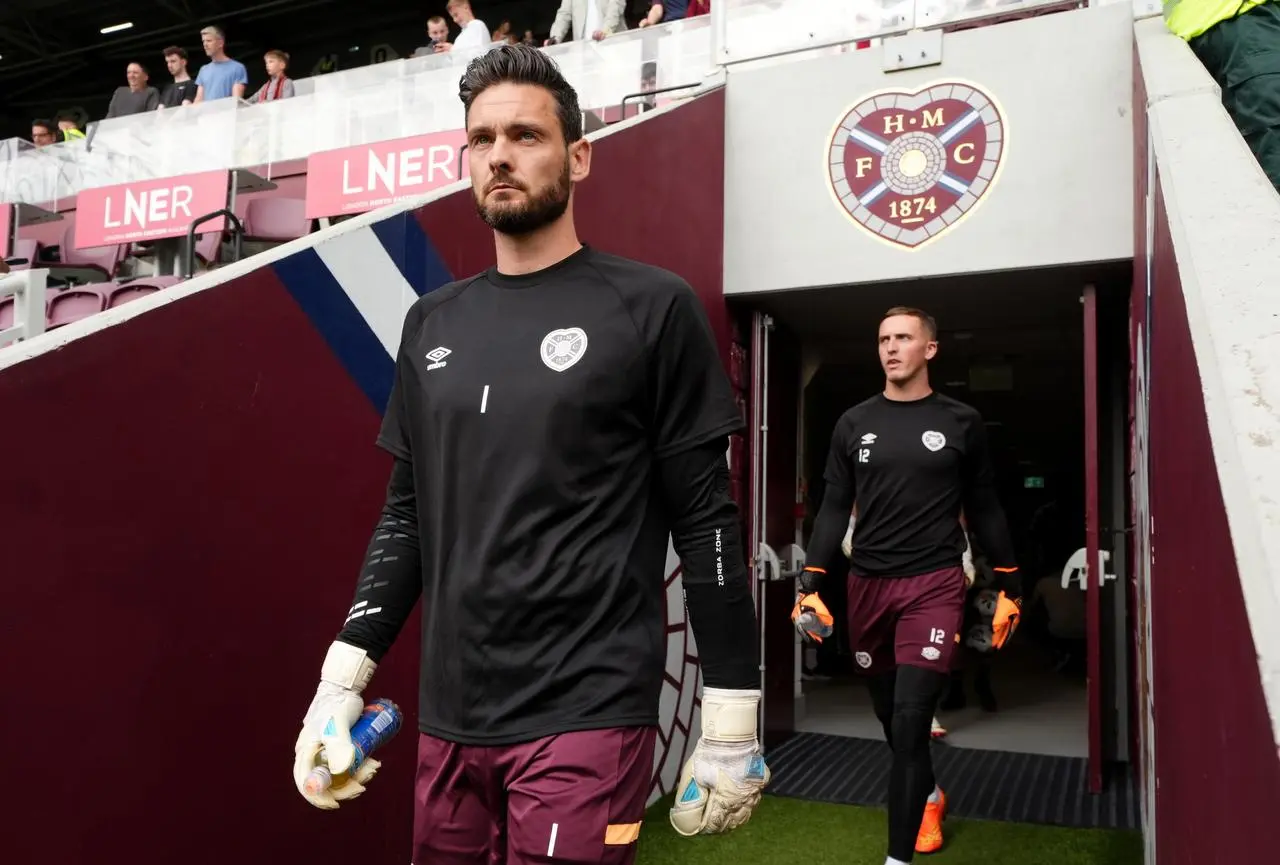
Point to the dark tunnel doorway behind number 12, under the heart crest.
(1022, 347)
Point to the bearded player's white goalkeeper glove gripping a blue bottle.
(327, 727)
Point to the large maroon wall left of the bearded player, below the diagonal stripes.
(186, 502)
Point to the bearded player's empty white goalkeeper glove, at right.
(726, 775)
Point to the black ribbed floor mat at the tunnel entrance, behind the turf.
(980, 785)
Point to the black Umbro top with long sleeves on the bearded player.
(560, 427)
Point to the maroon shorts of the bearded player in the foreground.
(574, 799)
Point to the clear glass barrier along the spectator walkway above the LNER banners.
(420, 95)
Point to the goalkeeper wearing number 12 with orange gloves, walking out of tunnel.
(912, 460)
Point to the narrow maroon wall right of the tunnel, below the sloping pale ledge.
(1215, 753)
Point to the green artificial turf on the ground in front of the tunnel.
(796, 832)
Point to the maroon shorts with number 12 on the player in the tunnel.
(906, 621)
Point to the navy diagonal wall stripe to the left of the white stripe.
(339, 321)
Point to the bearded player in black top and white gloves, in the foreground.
(554, 420)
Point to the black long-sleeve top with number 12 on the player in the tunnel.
(912, 468)
